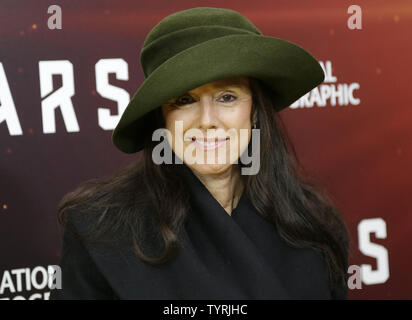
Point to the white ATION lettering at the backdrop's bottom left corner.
(30, 284)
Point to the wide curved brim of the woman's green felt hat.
(289, 70)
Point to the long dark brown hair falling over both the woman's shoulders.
(146, 203)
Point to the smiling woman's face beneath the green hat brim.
(210, 139)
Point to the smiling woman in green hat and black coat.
(185, 229)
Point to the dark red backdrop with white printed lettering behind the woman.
(69, 68)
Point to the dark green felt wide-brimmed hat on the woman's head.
(195, 46)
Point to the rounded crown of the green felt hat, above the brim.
(184, 29)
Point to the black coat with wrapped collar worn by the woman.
(222, 257)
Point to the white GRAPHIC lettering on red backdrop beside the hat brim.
(330, 92)
